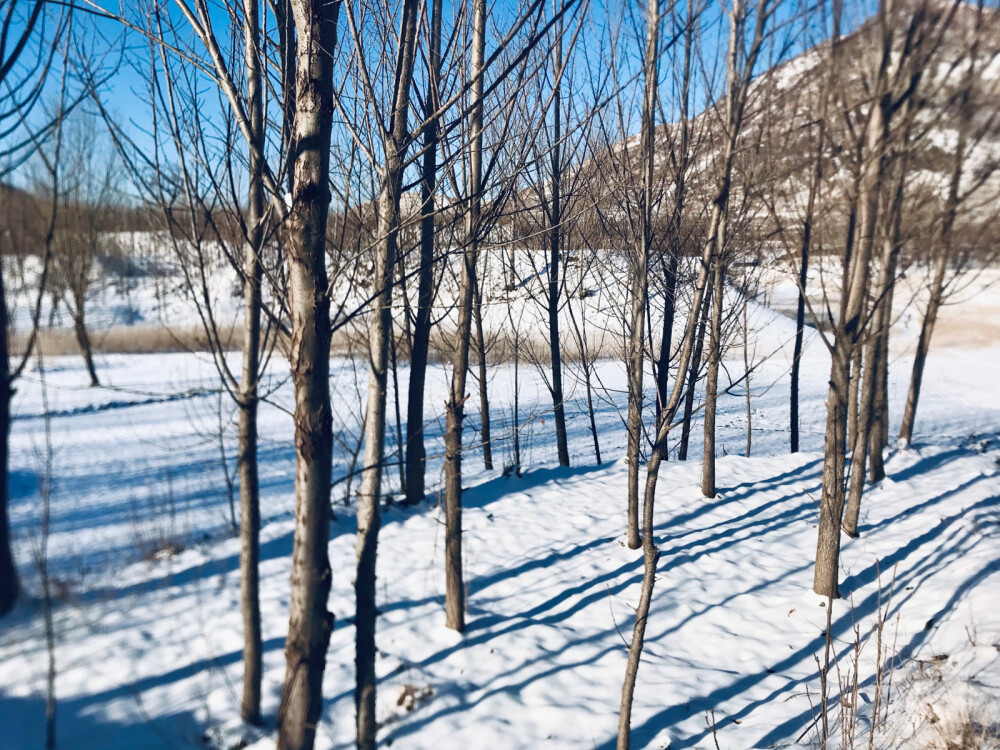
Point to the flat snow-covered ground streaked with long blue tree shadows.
(147, 622)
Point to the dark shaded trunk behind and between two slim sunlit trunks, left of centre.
(415, 450)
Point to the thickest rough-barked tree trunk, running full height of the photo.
(310, 623)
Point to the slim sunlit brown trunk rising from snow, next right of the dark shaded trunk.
(455, 411)
